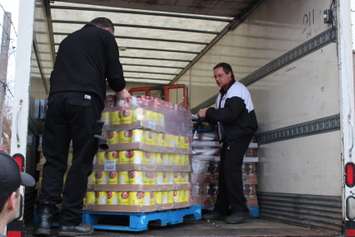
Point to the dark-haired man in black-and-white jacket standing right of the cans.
(236, 124)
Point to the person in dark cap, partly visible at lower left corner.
(10, 180)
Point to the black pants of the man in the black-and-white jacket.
(230, 196)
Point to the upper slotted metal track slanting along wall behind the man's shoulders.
(317, 42)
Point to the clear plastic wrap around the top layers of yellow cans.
(148, 113)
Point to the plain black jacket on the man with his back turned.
(84, 60)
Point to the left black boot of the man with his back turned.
(47, 220)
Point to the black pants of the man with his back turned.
(70, 117)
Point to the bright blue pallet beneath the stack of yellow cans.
(140, 221)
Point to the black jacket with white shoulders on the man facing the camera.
(234, 113)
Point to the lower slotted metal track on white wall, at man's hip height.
(322, 125)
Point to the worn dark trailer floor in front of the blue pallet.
(252, 228)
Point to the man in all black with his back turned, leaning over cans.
(85, 59)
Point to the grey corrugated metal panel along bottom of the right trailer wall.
(306, 210)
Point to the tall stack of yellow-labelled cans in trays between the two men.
(147, 166)
